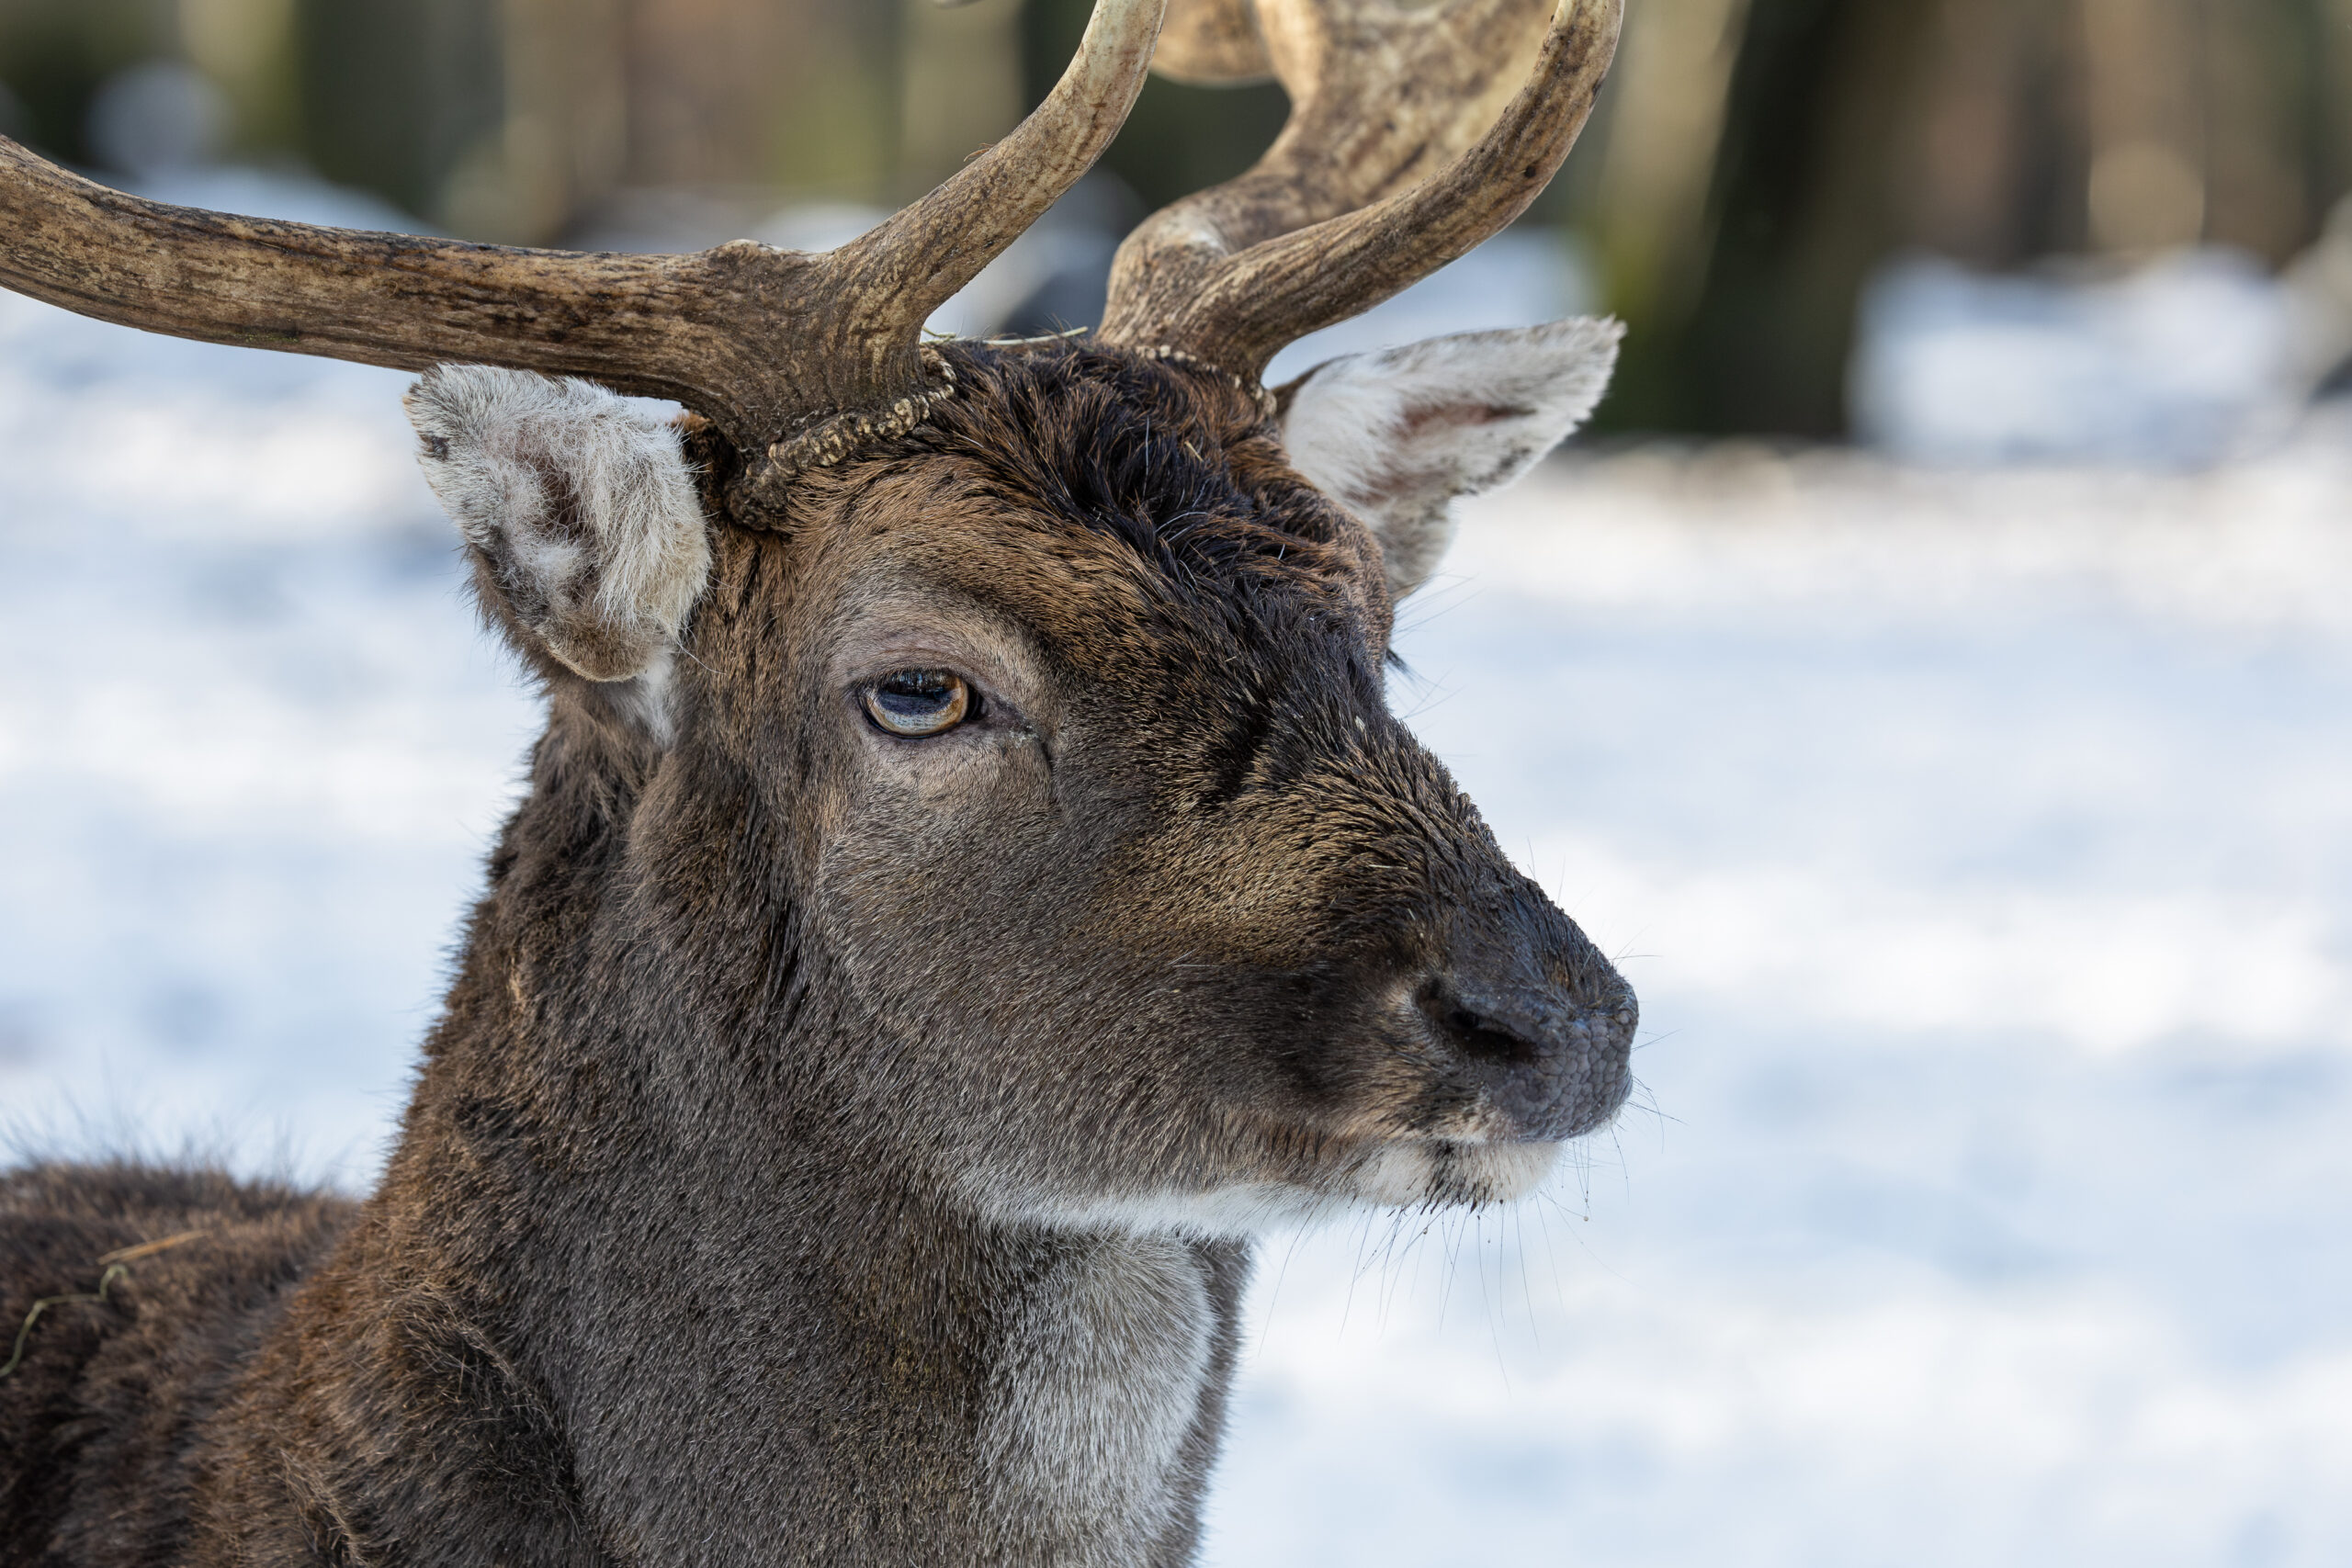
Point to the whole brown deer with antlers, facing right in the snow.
(970, 885)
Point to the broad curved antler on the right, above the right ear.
(1375, 180)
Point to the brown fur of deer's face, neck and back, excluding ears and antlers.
(831, 1141)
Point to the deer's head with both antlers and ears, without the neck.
(1005, 718)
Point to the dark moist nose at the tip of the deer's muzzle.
(1549, 1061)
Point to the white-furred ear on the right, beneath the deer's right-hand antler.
(1401, 434)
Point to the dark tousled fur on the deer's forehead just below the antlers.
(1172, 471)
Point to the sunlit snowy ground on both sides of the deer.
(1982, 847)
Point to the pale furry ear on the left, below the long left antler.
(580, 511)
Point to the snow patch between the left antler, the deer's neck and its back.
(250, 744)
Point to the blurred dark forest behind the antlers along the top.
(1753, 168)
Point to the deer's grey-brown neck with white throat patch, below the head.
(747, 1318)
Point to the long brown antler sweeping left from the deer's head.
(751, 337)
